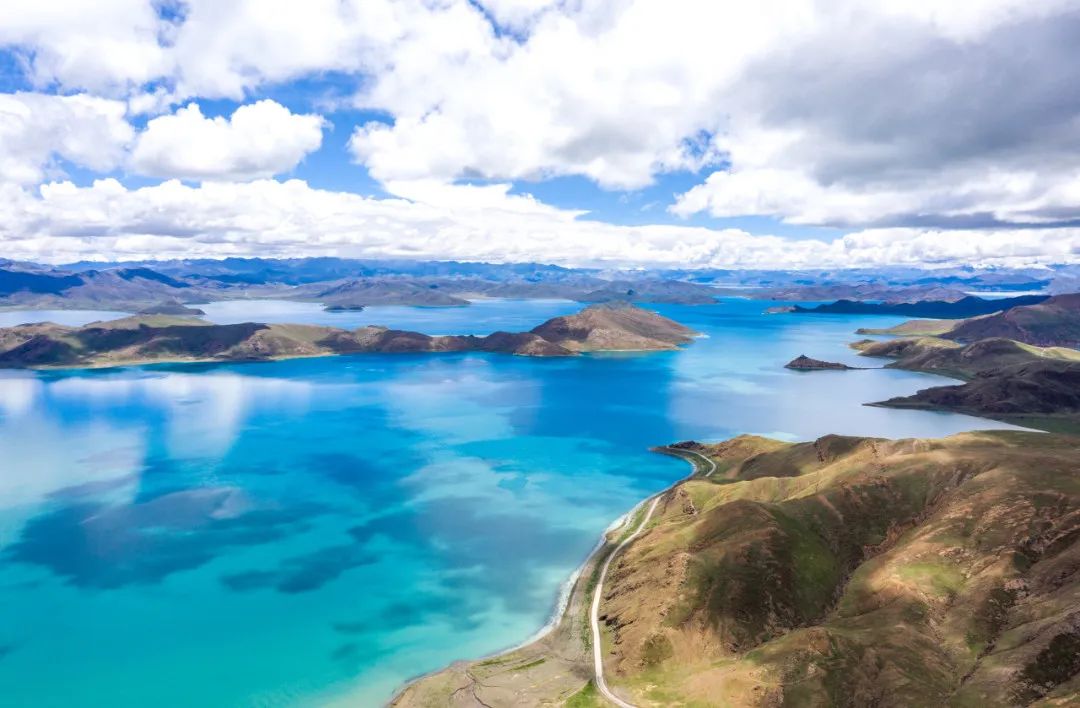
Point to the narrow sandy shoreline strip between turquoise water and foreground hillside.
(562, 639)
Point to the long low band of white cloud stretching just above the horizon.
(272, 219)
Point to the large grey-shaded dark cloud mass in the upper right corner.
(915, 119)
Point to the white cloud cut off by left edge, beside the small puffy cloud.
(36, 130)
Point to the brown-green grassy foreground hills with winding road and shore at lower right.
(841, 571)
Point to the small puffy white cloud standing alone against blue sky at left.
(260, 140)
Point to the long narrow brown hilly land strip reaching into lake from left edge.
(150, 339)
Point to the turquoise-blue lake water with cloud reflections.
(318, 532)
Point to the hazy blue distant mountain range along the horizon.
(353, 283)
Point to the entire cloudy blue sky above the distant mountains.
(627, 133)
